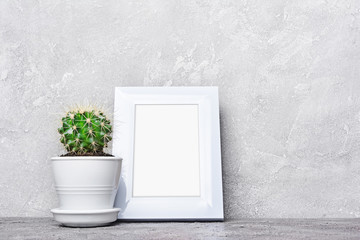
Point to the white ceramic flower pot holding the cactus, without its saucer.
(86, 183)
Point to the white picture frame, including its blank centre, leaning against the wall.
(164, 177)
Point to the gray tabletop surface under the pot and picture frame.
(46, 228)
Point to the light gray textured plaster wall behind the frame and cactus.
(288, 74)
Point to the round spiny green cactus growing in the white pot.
(85, 132)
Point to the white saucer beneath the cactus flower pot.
(85, 218)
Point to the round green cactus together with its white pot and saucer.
(86, 178)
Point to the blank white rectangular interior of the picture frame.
(166, 150)
